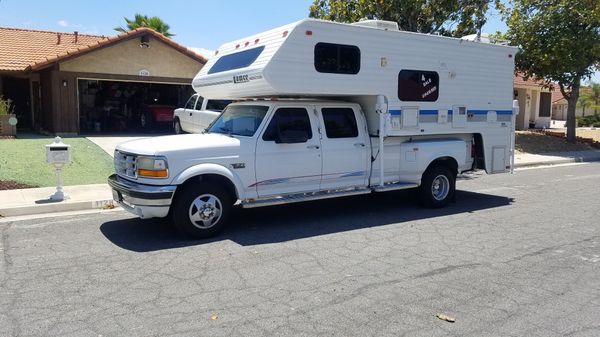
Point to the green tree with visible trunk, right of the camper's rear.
(560, 44)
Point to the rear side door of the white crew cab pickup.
(345, 147)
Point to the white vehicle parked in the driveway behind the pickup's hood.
(197, 114)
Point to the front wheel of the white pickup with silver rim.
(201, 210)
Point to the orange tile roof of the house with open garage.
(24, 49)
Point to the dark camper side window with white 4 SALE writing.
(418, 85)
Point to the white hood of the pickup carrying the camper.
(190, 144)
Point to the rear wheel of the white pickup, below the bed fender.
(438, 186)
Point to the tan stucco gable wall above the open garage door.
(127, 58)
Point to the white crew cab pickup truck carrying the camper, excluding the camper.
(267, 152)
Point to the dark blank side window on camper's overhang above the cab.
(337, 58)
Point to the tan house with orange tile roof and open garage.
(70, 83)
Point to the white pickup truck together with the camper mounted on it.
(328, 110)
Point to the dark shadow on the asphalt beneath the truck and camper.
(297, 221)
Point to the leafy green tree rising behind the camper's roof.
(445, 17)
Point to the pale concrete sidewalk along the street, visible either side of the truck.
(84, 197)
